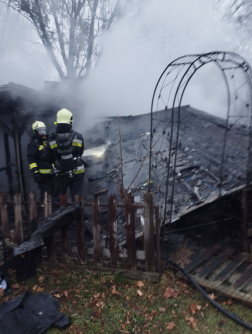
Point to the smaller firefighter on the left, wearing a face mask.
(41, 169)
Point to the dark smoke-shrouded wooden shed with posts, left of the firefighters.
(19, 107)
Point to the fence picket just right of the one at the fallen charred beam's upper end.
(97, 234)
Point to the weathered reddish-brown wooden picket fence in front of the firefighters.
(133, 259)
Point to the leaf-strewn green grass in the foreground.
(106, 303)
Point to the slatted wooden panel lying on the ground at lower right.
(224, 273)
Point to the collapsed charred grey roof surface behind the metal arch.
(199, 158)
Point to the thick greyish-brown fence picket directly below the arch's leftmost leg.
(149, 233)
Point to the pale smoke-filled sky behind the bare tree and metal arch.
(133, 56)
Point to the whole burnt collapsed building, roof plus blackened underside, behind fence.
(119, 154)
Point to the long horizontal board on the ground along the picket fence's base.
(135, 275)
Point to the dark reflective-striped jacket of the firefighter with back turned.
(61, 155)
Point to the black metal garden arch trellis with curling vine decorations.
(170, 90)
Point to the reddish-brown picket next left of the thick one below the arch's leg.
(130, 236)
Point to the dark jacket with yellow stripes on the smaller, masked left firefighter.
(36, 157)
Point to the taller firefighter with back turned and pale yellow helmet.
(64, 149)
